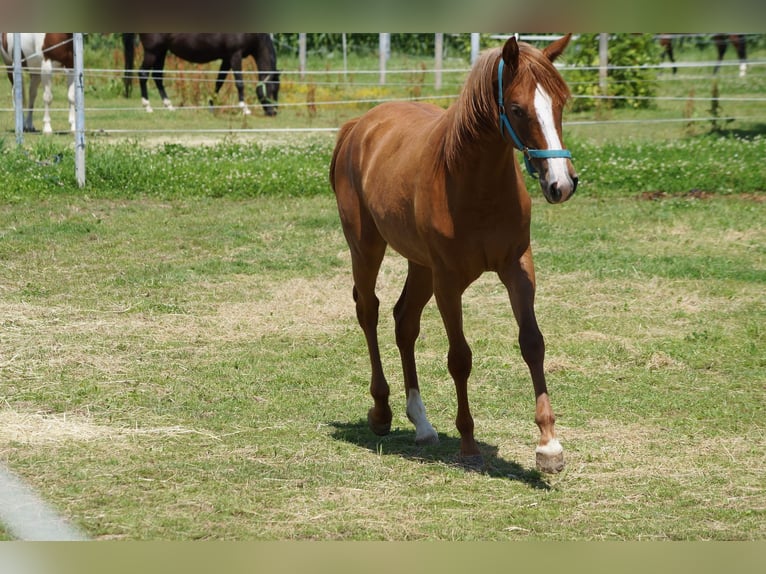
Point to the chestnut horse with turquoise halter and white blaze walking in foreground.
(445, 190)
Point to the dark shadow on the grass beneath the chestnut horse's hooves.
(402, 443)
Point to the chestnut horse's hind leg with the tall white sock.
(417, 291)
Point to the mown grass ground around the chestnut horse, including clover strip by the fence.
(181, 360)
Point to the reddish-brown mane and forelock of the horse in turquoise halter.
(476, 108)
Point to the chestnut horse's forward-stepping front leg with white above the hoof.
(519, 279)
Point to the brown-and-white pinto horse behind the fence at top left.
(40, 52)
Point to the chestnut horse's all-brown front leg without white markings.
(448, 291)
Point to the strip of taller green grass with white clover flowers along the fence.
(241, 169)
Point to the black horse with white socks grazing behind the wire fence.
(231, 49)
